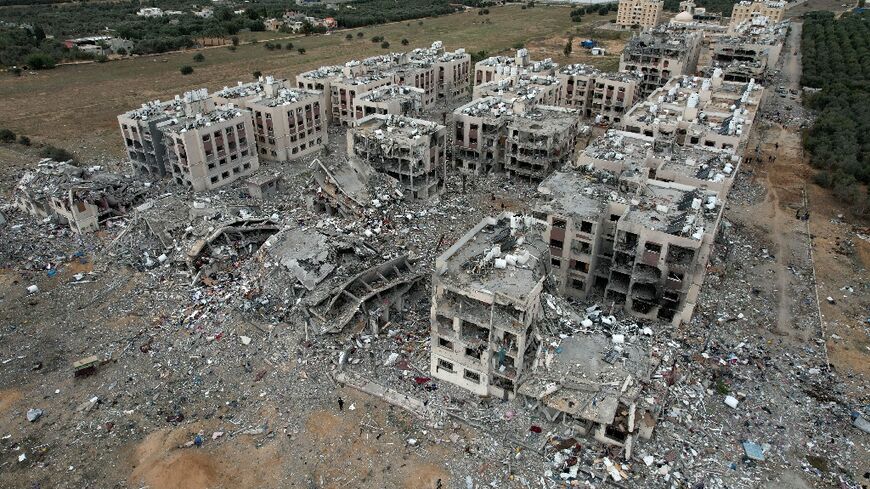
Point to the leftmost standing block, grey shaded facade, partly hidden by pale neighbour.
(143, 139)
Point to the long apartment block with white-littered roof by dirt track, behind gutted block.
(708, 112)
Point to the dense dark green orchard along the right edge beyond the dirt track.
(836, 55)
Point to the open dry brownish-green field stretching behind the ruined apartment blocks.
(76, 106)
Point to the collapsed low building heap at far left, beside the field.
(83, 198)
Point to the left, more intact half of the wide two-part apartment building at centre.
(479, 135)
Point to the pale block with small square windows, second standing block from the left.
(210, 146)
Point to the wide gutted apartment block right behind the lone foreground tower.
(630, 240)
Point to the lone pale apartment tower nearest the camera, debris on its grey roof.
(486, 299)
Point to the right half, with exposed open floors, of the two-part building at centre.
(540, 140)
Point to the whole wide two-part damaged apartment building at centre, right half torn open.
(494, 134)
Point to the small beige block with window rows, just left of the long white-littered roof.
(599, 95)
